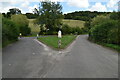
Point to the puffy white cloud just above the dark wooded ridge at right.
(98, 7)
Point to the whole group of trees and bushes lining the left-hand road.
(11, 27)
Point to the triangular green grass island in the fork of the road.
(52, 41)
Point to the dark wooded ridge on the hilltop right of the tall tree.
(83, 15)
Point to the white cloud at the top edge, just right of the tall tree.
(78, 3)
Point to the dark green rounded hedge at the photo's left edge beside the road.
(9, 31)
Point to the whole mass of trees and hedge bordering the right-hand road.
(105, 29)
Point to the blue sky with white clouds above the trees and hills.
(27, 6)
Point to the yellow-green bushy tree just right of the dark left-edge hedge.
(21, 22)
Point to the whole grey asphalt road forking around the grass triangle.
(28, 58)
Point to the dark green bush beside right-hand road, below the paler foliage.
(104, 32)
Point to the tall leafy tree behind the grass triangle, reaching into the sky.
(50, 16)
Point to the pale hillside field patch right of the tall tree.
(74, 23)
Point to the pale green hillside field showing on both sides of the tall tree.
(35, 29)
